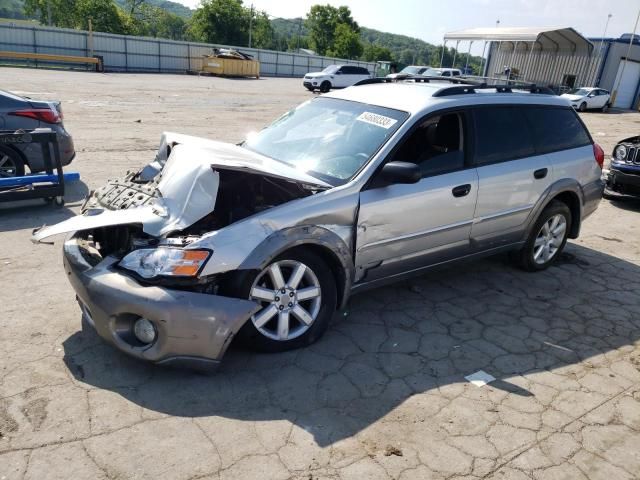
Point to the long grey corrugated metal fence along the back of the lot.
(123, 53)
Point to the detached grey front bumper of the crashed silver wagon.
(193, 329)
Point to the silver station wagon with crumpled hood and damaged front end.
(267, 239)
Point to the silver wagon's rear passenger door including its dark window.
(511, 174)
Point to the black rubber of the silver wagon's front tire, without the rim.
(249, 334)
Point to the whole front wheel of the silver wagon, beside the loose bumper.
(297, 292)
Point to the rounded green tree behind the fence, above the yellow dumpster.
(220, 21)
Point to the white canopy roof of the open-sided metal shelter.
(549, 38)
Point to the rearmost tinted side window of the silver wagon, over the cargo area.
(556, 129)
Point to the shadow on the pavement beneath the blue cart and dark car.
(36, 213)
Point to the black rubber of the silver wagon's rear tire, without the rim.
(526, 256)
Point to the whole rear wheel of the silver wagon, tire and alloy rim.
(547, 238)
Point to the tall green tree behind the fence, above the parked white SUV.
(322, 22)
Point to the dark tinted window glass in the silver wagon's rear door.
(502, 134)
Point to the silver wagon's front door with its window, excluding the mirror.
(404, 227)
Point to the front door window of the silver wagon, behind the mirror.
(436, 146)
